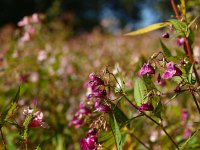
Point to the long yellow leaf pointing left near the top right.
(148, 29)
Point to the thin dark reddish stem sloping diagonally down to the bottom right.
(150, 118)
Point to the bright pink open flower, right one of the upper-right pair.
(171, 71)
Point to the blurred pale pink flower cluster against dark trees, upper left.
(28, 24)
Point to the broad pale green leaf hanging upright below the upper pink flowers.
(139, 91)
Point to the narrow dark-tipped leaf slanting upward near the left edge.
(13, 106)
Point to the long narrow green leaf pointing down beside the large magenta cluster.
(116, 132)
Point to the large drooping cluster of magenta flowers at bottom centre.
(96, 102)
